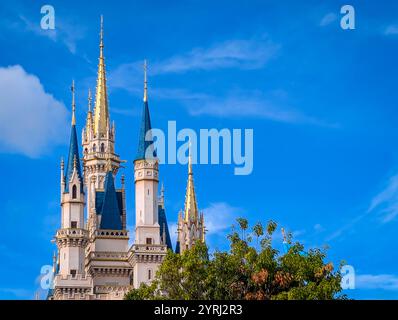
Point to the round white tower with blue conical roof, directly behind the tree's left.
(149, 249)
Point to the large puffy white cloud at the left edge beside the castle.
(32, 121)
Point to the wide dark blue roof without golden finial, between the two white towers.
(110, 213)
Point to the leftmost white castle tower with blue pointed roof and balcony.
(72, 237)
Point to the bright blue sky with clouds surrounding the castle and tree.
(322, 102)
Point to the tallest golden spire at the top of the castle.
(101, 113)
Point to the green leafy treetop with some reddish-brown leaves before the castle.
(246, 271)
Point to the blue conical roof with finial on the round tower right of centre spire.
(143, 144)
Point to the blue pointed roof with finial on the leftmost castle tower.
(73, 156)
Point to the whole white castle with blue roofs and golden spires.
(94, 260)
